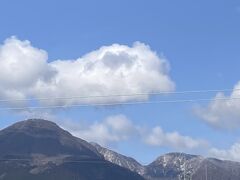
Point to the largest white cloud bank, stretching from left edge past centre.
(115, 69)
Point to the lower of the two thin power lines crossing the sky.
(119, 103)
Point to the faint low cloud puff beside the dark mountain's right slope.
(111, 130)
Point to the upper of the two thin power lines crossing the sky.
(121, 95)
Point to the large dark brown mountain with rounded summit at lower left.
(39, 149)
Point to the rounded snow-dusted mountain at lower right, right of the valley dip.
(176, 166)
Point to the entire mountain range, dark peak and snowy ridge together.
(38, 149)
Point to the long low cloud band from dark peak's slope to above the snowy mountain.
(119, 128)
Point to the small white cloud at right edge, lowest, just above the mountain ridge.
(233, 153)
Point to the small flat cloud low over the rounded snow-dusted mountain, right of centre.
(157, 137)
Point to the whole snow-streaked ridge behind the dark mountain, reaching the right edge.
(177, 166)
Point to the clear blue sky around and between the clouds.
(200, 41)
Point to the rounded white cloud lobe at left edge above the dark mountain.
(21, 67)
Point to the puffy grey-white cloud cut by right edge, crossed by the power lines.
(223, 113)
